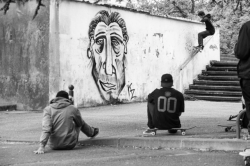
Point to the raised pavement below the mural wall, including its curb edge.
(122, 125)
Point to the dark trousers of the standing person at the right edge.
(245, 87)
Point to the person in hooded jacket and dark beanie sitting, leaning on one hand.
(61, 125)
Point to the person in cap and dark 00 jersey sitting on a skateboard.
(165, 106)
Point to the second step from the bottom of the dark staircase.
(215, 93)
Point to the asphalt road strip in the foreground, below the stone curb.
(22, 155)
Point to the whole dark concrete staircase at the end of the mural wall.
(219, 82)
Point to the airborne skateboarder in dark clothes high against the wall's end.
(210, 30)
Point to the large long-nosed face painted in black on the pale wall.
(107, 49)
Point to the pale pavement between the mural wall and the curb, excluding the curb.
(127, 120)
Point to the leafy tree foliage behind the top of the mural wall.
(228, 15)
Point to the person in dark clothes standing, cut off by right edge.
(242, 52)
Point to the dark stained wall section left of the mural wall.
(24, 47)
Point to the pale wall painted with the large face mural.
(110, 65)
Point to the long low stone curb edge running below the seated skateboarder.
(158, 143)
